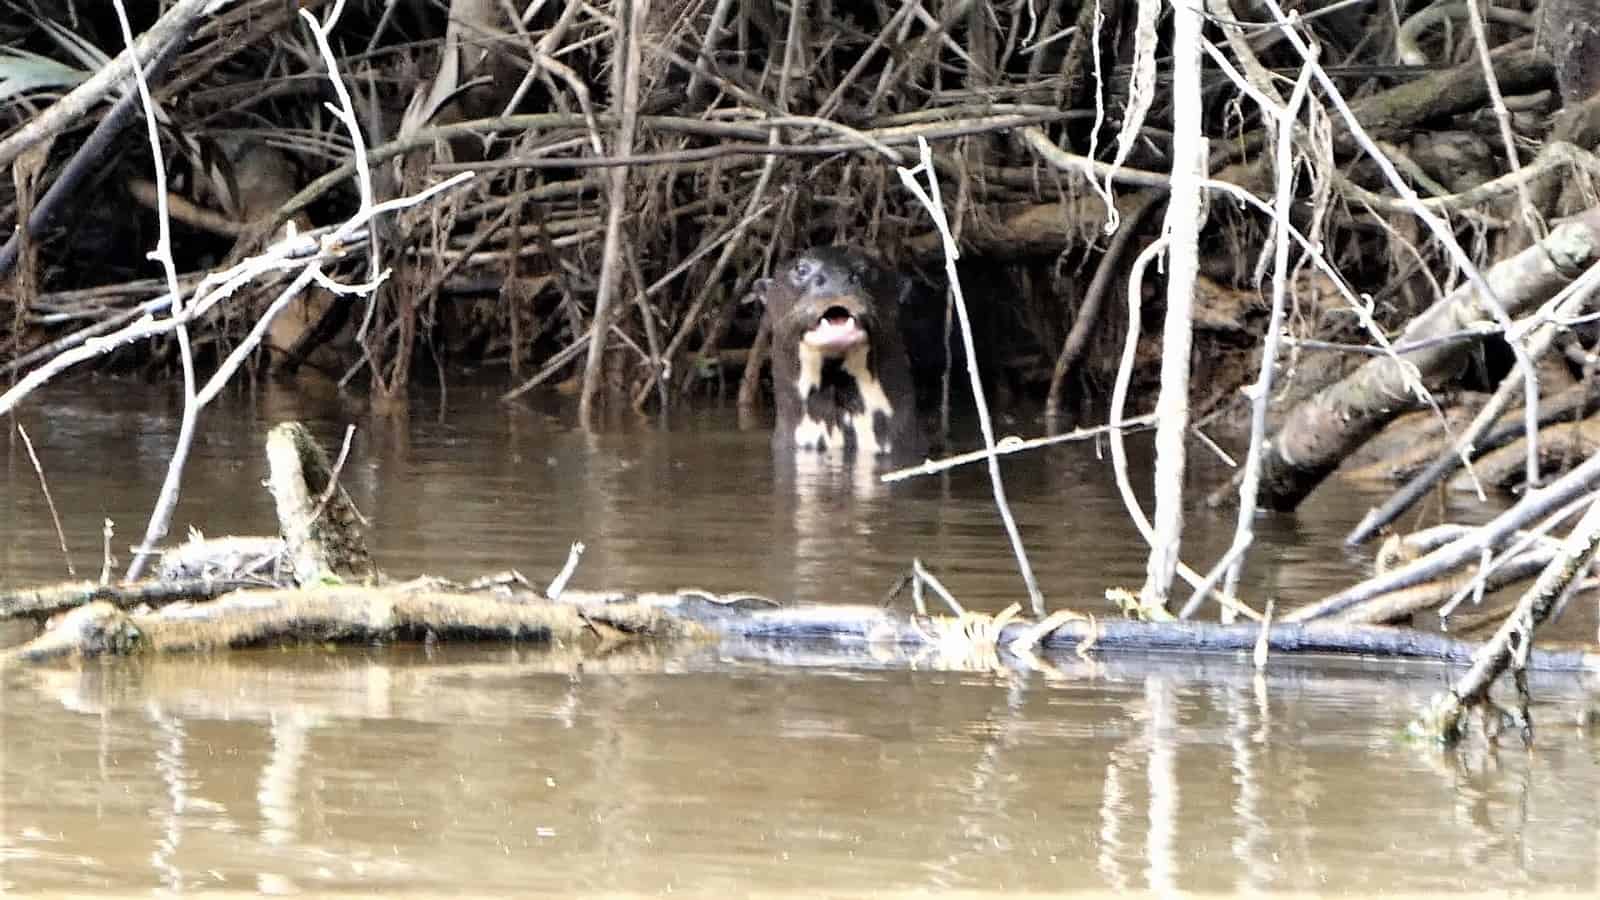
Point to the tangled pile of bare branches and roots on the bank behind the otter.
(642, 163)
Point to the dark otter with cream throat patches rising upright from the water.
(841, 374)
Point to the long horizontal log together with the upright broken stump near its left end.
(322, 537)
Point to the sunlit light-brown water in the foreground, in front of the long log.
(518, 771)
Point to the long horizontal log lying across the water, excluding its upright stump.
(362, 616)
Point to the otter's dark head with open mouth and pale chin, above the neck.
(833, 300)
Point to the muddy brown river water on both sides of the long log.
(502, 769)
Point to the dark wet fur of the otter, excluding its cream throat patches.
(798, 295)
